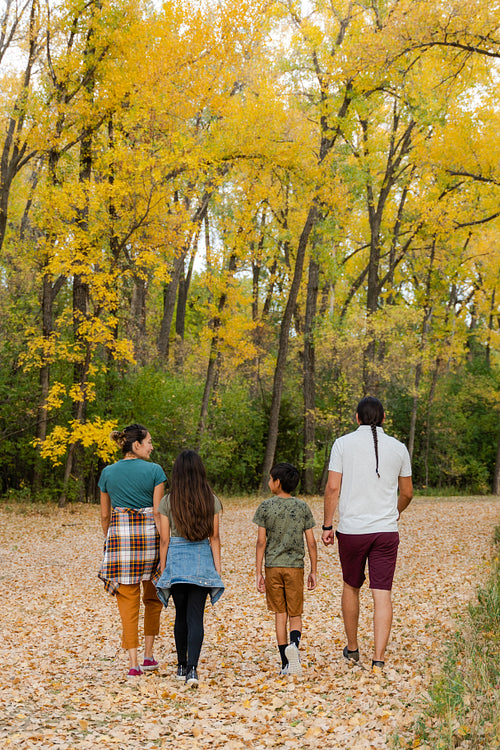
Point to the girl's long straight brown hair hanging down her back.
(191, 497)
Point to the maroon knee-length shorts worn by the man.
(381, 551)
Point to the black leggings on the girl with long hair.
(189, 603)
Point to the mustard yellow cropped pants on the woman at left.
(128, 598)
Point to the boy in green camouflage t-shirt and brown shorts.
(283, 521)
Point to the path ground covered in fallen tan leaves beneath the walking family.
(62, 679)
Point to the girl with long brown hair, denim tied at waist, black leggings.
(190, 558)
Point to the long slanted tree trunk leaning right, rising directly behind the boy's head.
(272, 437)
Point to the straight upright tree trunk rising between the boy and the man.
(309, 378)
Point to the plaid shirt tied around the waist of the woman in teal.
(131, 549)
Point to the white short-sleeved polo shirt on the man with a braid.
(369, 504)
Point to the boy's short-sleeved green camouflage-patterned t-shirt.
(285, 520)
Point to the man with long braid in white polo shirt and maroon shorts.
(369, 479)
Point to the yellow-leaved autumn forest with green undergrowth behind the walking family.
(229, 220)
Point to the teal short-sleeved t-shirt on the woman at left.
(130, 483)
